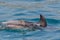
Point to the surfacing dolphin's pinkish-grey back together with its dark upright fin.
(18, 24)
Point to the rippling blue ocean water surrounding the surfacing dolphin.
(30, 10)
